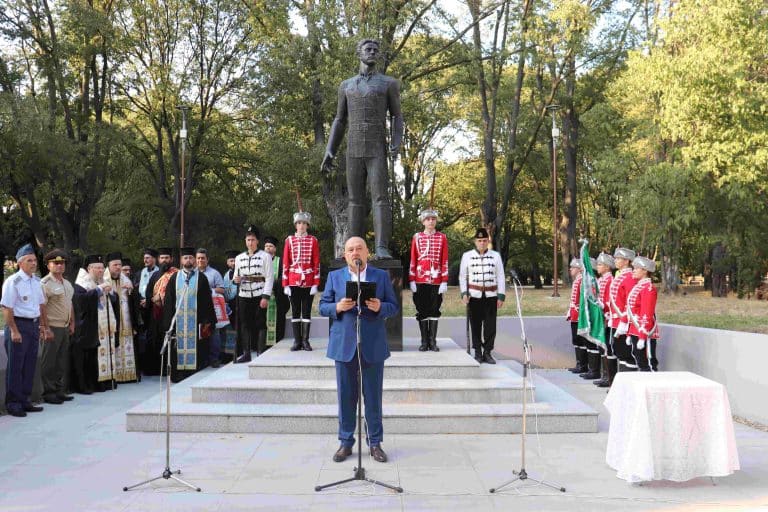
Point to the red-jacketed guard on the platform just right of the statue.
(428, 274)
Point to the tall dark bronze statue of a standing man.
(364, 101)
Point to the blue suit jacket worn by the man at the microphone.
(373, 335)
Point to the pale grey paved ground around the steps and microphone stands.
(78, 457)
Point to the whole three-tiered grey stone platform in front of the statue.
(446, 392)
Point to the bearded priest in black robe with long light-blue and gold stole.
(188, 297)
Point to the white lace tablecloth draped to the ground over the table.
(669, 426)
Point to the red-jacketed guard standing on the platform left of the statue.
(301, 277)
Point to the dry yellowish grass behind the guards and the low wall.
(694, 307)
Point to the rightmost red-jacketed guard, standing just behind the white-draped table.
(643, 329)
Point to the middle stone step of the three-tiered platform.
(396, 391)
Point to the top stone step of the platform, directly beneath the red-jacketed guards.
(279, 363)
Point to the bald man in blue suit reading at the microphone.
(342, 346)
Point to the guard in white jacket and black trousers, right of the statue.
(481, 281)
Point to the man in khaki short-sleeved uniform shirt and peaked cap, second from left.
(54, 360)
